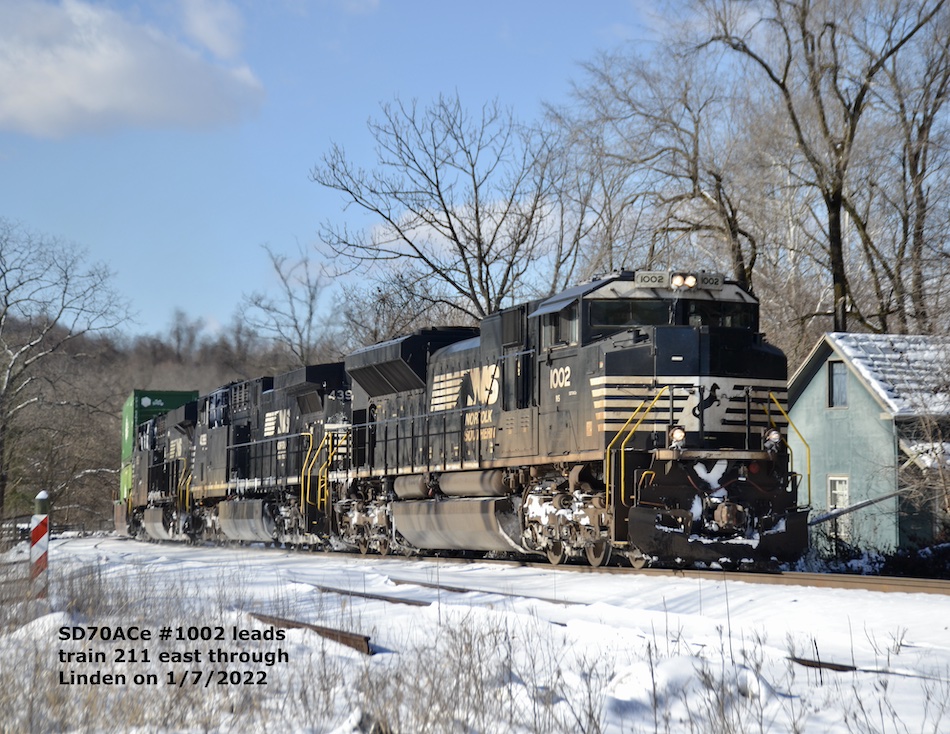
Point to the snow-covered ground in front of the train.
(590, 652)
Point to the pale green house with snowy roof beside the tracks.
(874, 411)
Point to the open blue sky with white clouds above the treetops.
(172, 140)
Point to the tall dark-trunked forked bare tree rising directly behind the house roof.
(822, 58)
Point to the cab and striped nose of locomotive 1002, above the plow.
(636, 335)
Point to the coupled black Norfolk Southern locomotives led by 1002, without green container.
(639, 415)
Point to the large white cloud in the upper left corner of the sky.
(77, 66)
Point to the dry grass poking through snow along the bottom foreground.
(472, 671)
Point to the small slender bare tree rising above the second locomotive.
(292, 318)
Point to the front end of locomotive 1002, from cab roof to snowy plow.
(667, 377)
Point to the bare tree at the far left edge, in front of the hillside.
(49, 300)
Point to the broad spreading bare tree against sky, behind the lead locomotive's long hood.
(460, 201)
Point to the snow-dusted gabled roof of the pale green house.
(909, 375)
